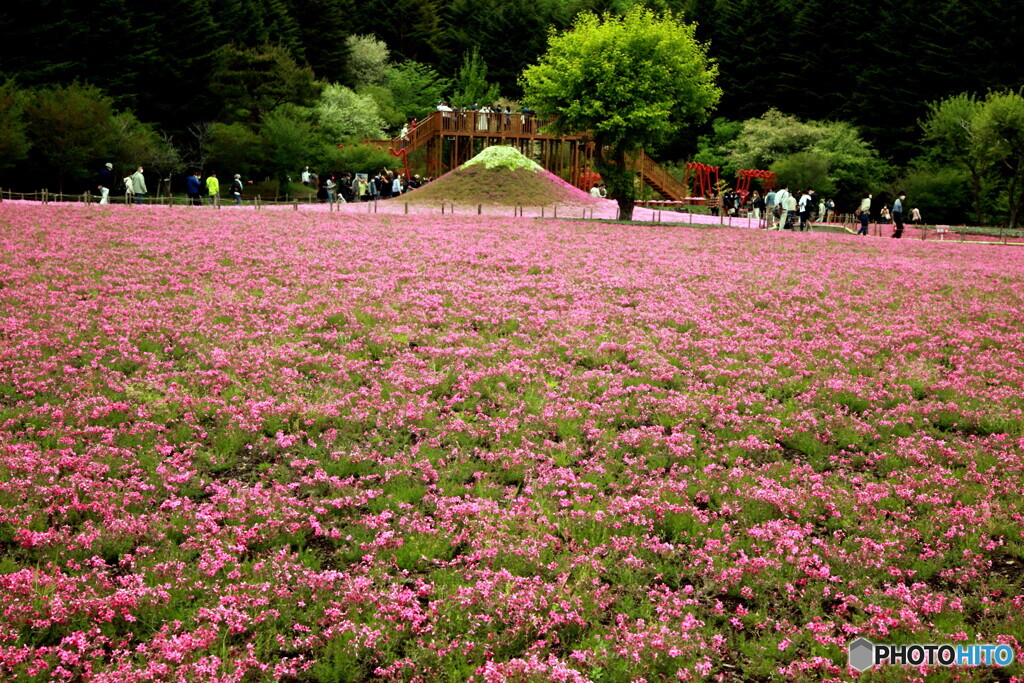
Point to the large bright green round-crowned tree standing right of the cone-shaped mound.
(626, 81)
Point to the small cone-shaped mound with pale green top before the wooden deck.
(502, 177)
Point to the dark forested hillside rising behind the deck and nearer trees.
(182, 68)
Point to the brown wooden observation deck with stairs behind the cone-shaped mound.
(451, 139)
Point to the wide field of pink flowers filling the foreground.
(321, 447)
